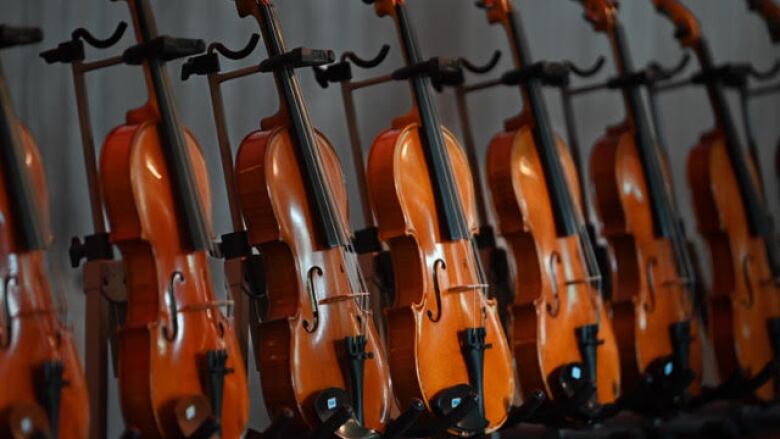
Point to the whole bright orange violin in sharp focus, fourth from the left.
(422, 194)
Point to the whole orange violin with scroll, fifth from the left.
(562, 337)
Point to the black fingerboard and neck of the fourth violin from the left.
(450, 210)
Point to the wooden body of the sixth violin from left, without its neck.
(648, 296)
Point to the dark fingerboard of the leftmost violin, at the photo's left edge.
(26, 212)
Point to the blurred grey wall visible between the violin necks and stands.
(44, 95)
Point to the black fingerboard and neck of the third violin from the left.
(331, 225)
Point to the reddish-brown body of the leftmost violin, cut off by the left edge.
(31, 333)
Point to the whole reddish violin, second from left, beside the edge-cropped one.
(177, 352)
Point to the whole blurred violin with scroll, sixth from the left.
(652, 303)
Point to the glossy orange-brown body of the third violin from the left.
(312, 309)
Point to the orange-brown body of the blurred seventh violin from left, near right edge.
(743, 296)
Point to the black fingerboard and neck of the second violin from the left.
(193, 224)
